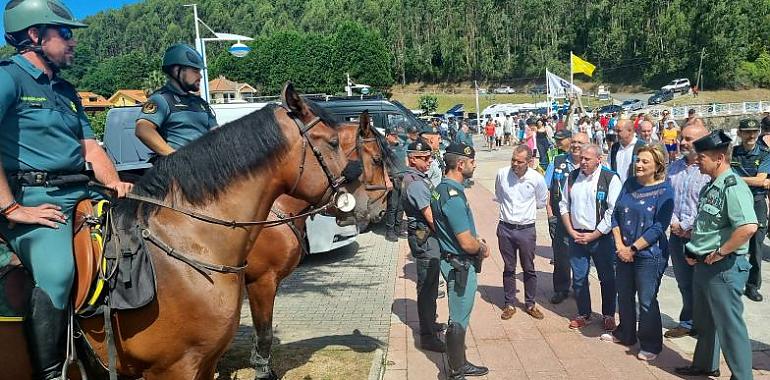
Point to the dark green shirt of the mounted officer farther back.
(180, 117)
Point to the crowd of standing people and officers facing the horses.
(629, 194)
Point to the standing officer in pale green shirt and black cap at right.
(724, 224)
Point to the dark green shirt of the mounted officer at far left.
(42, 121)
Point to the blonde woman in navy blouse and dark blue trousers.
(639, 222)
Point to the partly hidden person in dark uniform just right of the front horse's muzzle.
(394, 211)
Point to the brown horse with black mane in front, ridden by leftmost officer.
(233, 173)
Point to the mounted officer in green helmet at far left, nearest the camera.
(44, 135)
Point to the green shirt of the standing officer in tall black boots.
(451, 215)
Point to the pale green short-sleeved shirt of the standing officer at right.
(724, 205)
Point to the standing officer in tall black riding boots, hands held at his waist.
(462, 252)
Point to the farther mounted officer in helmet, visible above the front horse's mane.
(173, 116)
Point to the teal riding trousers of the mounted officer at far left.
(47, 252)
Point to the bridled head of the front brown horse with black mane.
(320, 165)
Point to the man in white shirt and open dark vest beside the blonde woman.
(586, 210)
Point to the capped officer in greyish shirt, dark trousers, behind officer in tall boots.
(415, 198)
